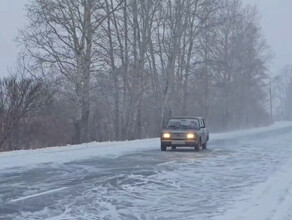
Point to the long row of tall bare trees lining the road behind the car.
(118, 69)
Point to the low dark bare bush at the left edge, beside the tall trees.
(19, 96)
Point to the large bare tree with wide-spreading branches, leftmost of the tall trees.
(61, 36)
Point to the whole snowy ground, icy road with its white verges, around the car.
(242, 175)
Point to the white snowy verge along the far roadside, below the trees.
(64, 154)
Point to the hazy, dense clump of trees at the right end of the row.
(237, 57)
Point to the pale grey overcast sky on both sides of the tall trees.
(276, 20)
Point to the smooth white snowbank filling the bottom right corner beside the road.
(269, 200)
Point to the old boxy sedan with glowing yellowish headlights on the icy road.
(185, 131)
